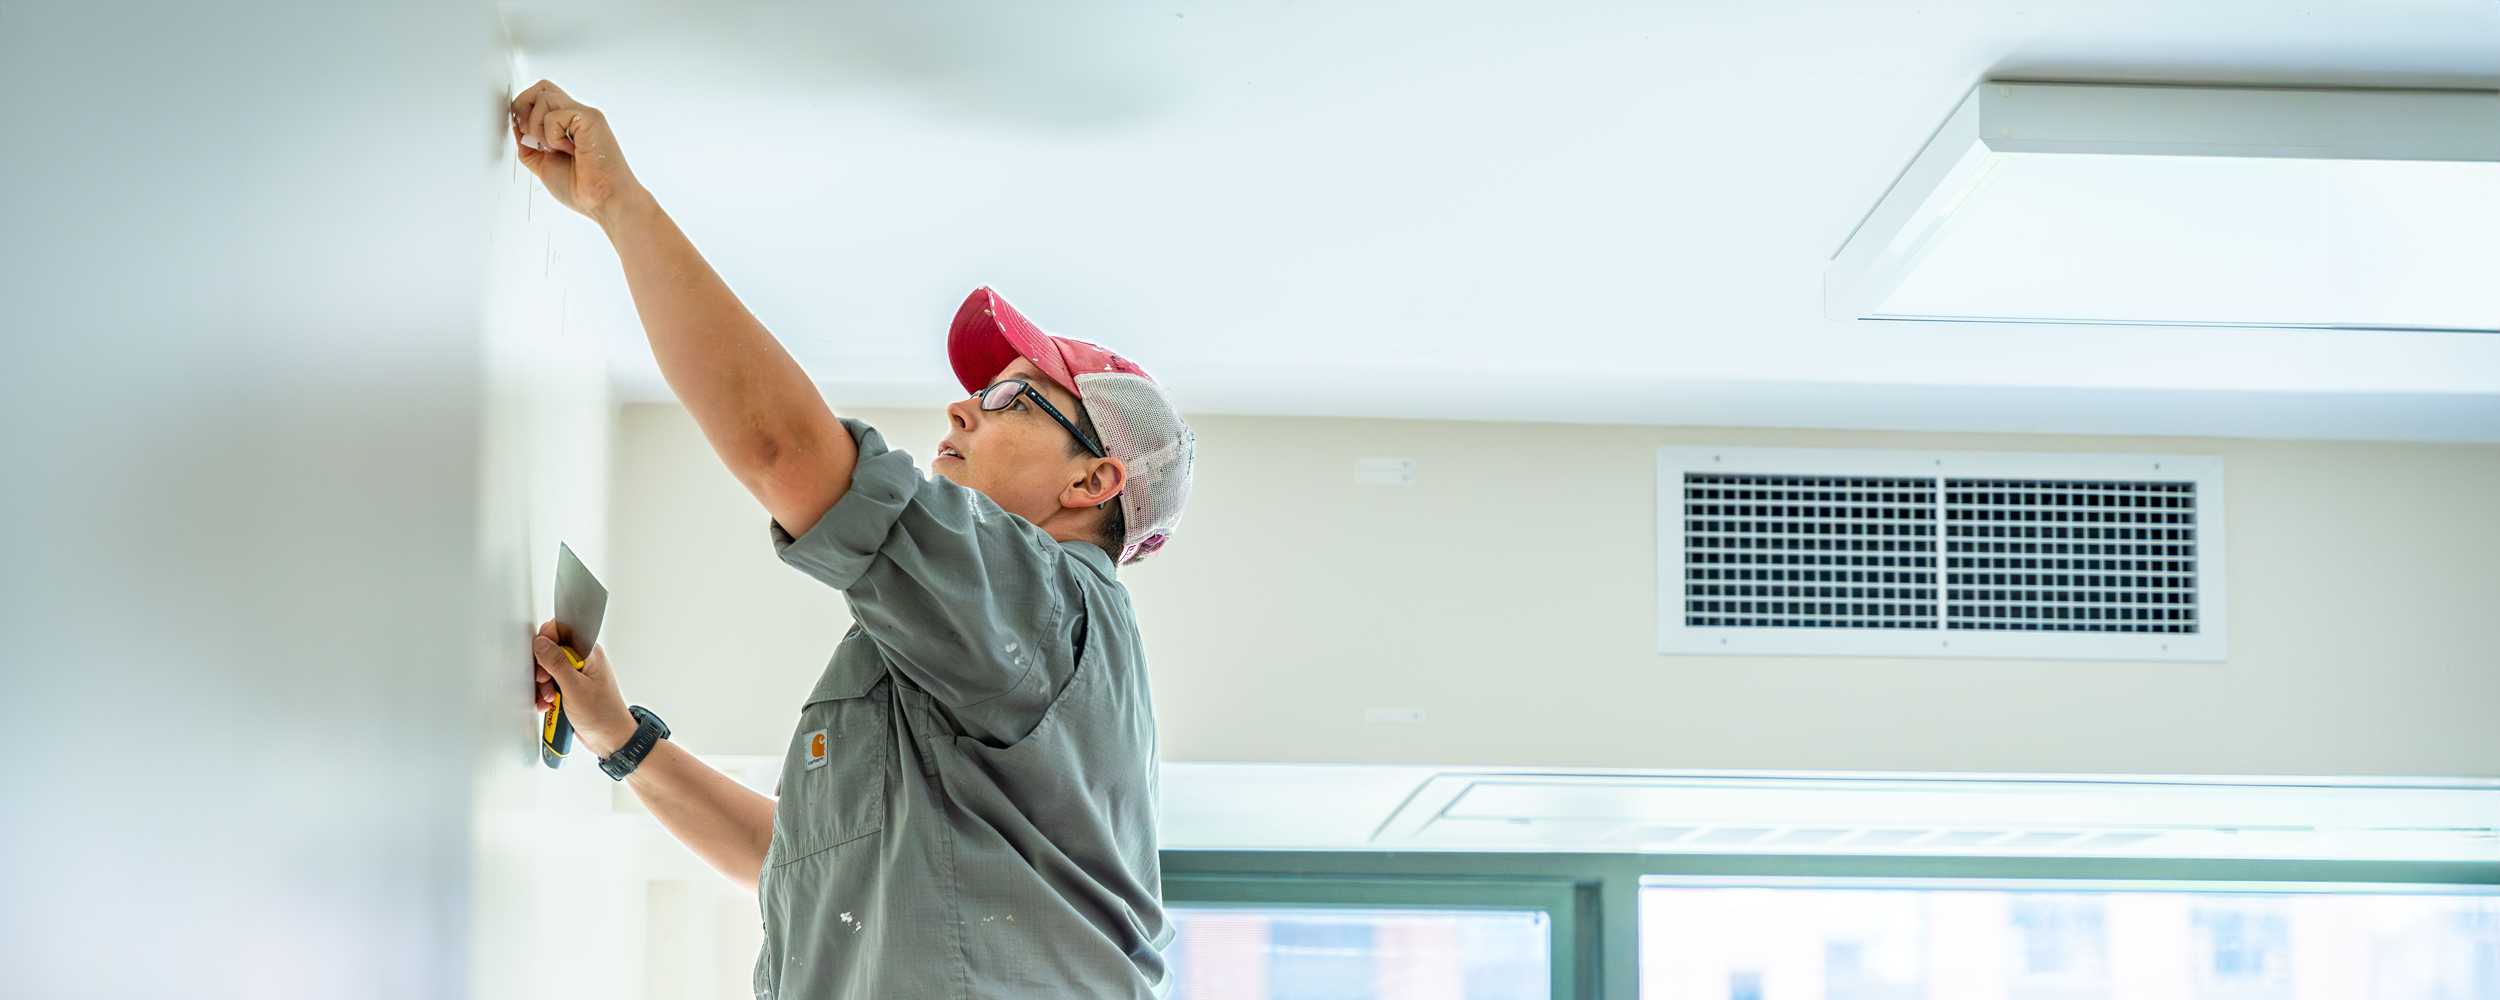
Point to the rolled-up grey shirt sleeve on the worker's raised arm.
(966, 599)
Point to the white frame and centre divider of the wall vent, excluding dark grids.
(2211, 644)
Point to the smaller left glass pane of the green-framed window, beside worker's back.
(1329, 954)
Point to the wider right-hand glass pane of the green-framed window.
(1761, 944)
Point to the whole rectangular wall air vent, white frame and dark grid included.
(1789, 551)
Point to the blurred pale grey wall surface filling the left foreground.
(239, 496)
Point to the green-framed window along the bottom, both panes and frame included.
(1376, 924)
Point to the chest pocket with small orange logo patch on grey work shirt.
(834, 779)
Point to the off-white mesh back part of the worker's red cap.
(1144, 431)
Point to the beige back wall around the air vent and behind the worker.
(1511, 594)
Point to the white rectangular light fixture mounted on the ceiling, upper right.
(2191, 206)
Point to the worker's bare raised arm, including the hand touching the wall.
(754, 404)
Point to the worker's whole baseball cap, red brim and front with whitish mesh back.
(1136, 419)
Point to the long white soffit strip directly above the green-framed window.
(1256, 806)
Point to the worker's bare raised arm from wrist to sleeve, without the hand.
(751, 399)
